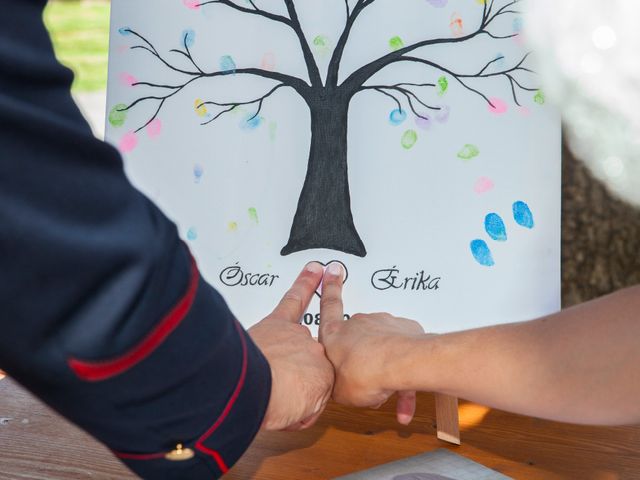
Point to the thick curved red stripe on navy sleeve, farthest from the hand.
(102, 370)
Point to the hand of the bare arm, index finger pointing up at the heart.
(360, 350)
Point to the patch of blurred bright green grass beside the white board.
(80, 33)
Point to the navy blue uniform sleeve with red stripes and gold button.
(104, 313)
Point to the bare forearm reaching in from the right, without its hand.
(581, 365)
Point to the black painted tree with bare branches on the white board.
(323, 218)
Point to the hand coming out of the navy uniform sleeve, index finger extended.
(302, 377)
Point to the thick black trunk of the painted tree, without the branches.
(323, 218)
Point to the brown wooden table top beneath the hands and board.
(37, 444)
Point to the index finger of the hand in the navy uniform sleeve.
(297, 299)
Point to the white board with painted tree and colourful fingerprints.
(407, 139)
